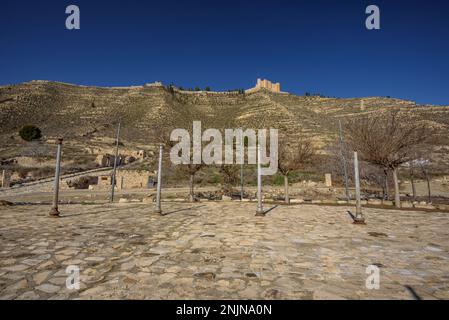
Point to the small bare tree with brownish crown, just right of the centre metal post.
(294, 157)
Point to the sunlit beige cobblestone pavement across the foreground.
(221, 251)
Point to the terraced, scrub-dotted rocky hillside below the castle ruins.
(86, 114)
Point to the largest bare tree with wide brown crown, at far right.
(387, 140)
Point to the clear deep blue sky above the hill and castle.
(309, 46)
